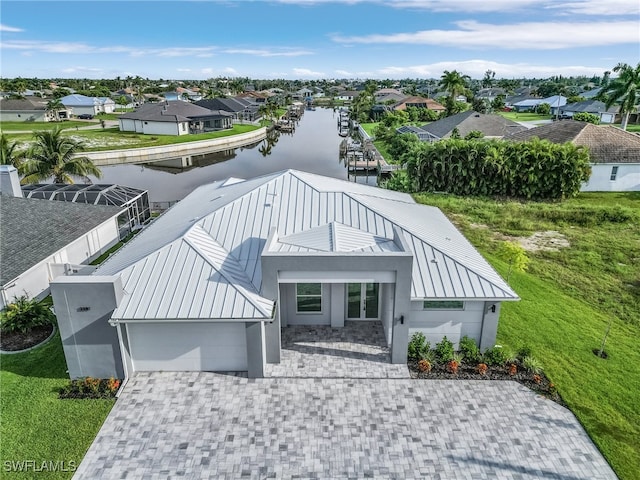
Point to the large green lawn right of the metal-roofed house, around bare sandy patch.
(568, 298)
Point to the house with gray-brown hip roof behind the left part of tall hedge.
(491, 126)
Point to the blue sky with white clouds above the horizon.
(309, 39)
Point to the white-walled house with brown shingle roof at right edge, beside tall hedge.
(614, 153)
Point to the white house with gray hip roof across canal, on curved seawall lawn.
(174, 118)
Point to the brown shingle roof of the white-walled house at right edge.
(607, 144)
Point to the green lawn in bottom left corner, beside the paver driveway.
(35, 425)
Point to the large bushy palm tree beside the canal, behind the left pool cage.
(54, 155)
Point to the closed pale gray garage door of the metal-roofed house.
(183, 347)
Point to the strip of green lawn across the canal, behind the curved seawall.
(113, 139)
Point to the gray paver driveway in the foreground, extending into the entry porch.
(207, 425)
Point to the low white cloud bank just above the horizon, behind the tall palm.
(476, 69)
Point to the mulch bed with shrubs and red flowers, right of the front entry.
(469, 372)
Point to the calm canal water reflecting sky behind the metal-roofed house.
(313, 147)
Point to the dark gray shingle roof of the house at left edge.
(31, 230)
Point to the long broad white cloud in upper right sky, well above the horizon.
(530, 36)
